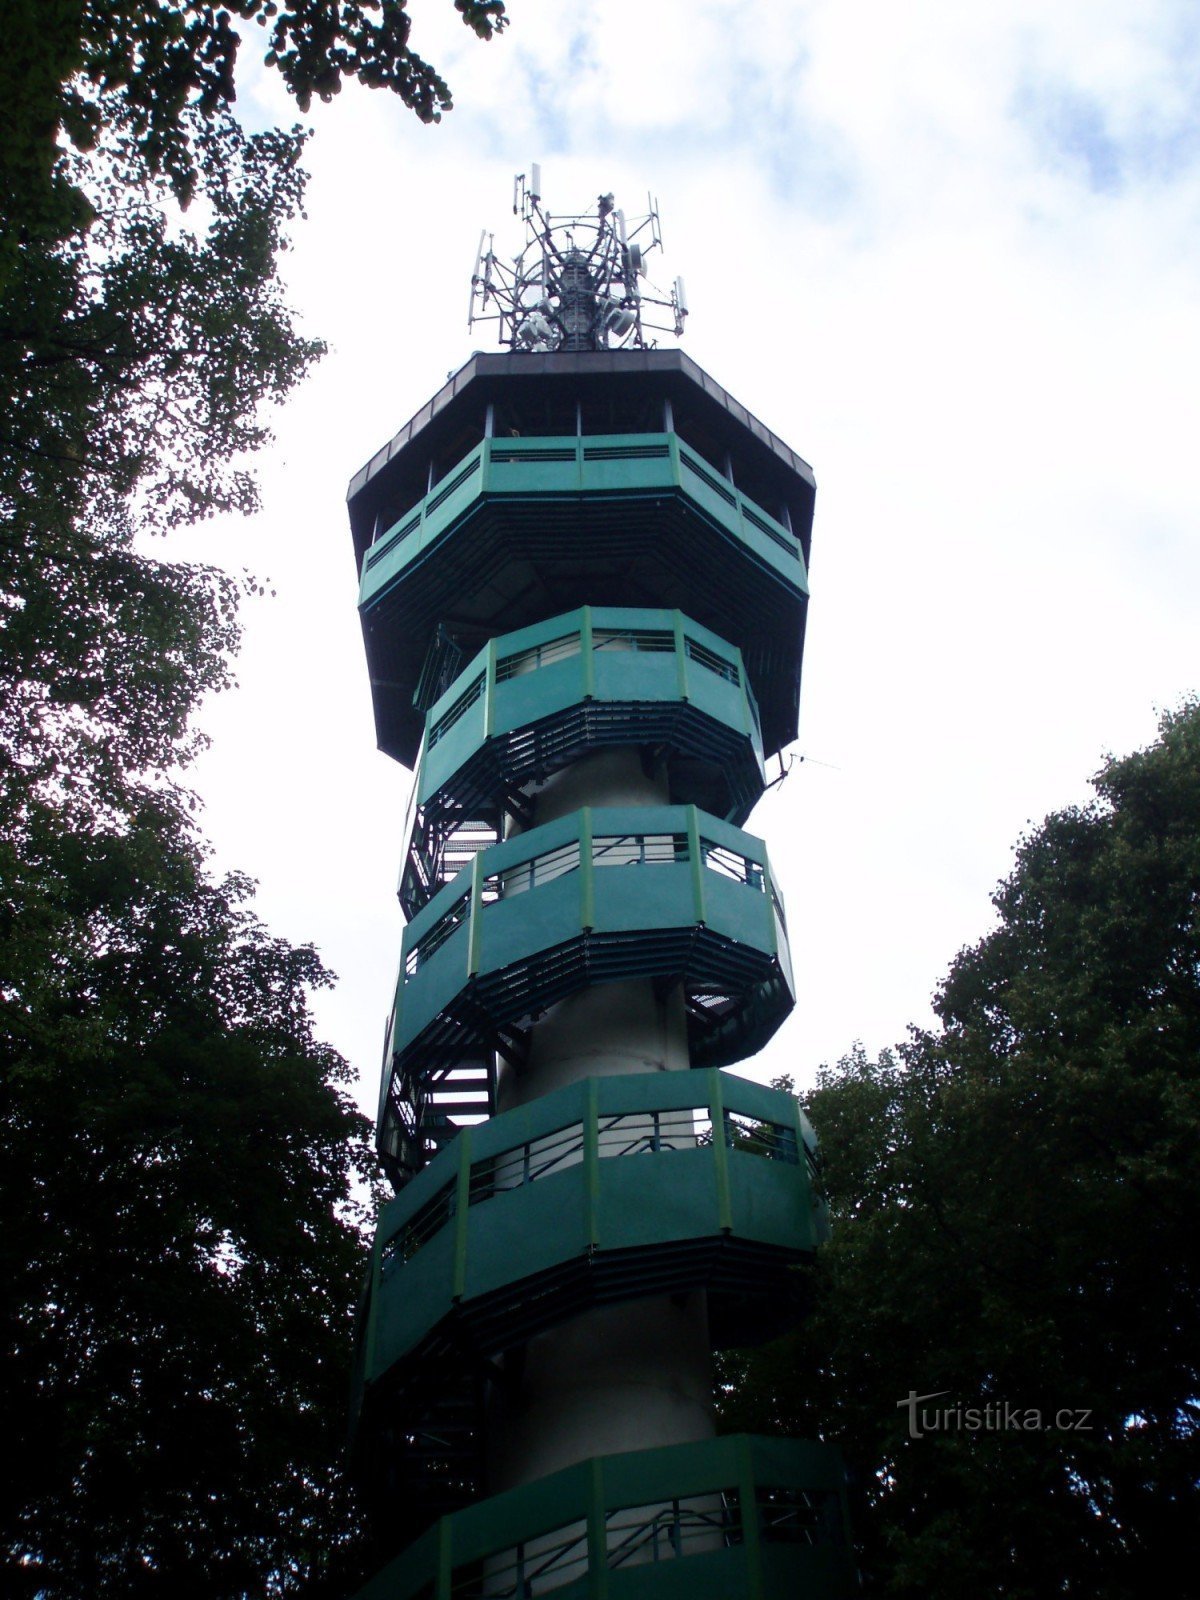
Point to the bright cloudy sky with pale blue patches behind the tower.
(950, 254)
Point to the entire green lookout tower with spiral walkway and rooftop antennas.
(583, 599)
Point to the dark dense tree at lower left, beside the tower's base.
(182, 1247)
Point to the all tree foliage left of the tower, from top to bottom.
(182, 1169)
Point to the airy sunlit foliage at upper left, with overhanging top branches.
(137, 354)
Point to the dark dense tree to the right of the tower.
(1014, 1210)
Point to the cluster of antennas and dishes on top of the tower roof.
(580, 284)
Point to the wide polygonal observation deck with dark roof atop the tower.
(487, 514)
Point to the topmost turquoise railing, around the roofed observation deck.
(590, 465)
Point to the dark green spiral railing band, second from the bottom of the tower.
(652, 1162)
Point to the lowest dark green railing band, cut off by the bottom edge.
(743, 1518)
